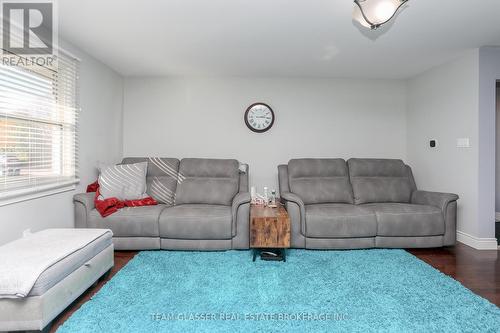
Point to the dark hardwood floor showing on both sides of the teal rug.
(477, 270)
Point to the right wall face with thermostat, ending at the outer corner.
(443, 105)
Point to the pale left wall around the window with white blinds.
(100, 131)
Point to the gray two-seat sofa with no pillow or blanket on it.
(363, 203)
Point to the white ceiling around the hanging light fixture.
(312, 38)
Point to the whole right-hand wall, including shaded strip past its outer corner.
(457, 100)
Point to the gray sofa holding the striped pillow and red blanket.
(204, 204)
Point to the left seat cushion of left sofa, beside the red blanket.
(129, 221)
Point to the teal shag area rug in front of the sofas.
(314, 291)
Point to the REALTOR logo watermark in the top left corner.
(28, 32)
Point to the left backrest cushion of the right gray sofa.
(318, 181)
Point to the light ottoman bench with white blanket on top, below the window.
(44, 272)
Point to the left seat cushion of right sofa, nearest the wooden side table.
(339, 221)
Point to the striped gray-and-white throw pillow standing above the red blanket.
(123, 181)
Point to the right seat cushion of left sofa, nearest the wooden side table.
(196, 222)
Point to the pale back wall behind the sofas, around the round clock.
(194, 117)
